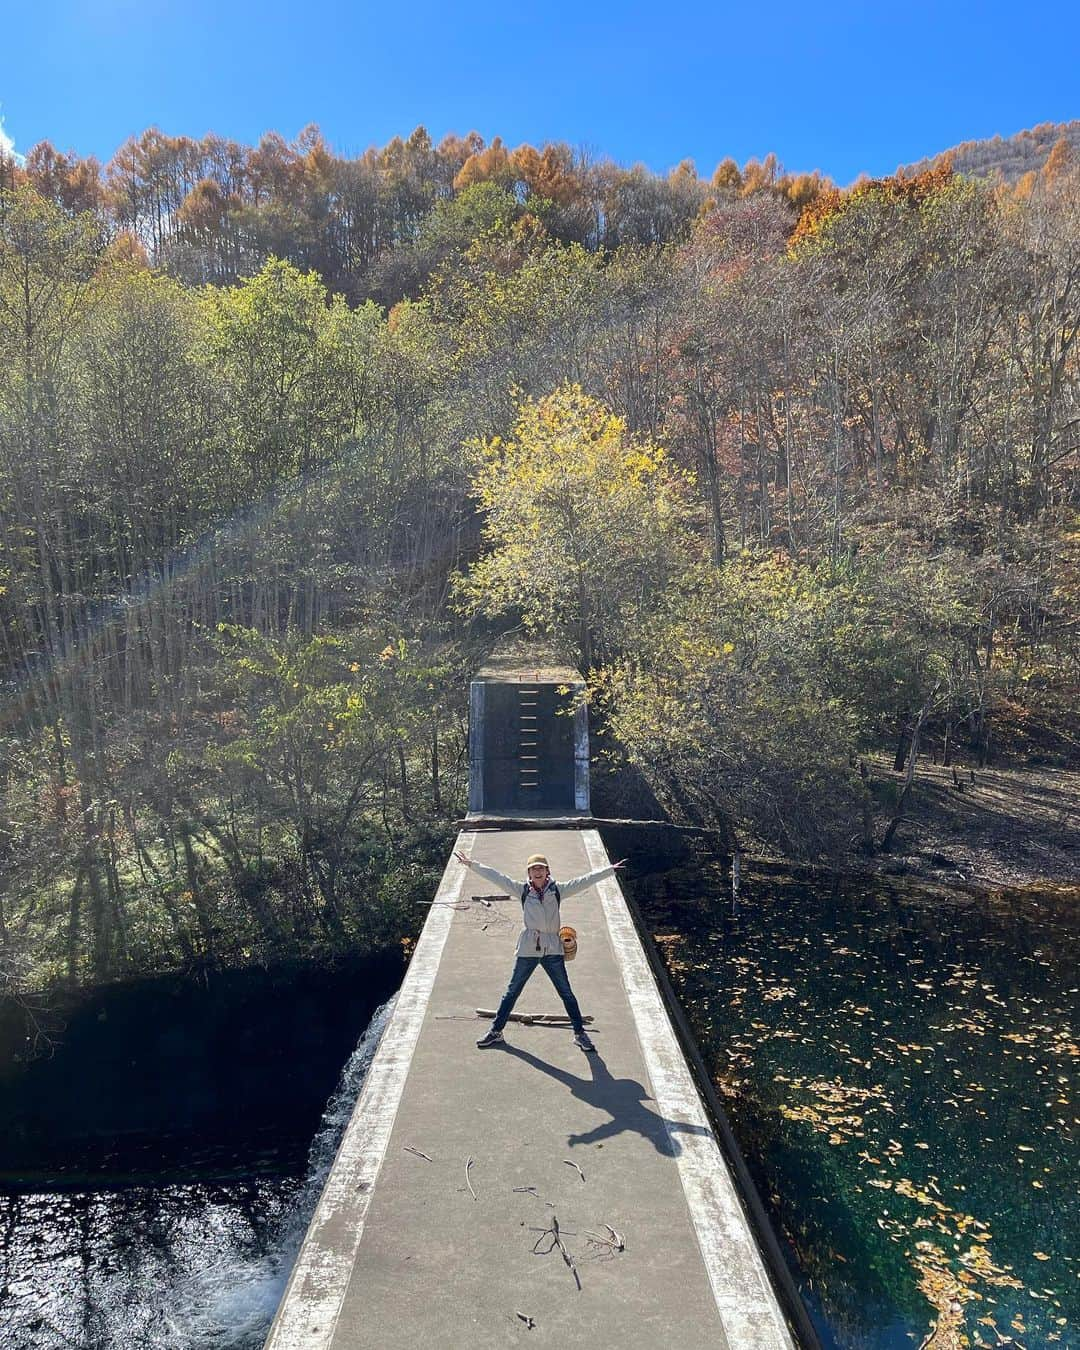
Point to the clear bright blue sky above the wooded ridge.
(844, 88)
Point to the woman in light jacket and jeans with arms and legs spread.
(539, 943)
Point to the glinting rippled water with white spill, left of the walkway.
(172, 1267)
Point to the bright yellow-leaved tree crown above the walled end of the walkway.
(585, 524)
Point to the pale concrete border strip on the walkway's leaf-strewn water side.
(747, 1303)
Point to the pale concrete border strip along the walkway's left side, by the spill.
(311, 1305)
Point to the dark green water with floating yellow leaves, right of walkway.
(900, 1069)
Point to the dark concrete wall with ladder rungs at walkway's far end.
(529, 739)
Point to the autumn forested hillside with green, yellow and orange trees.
(288, 439)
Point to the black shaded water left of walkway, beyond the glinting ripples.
(200, 1079)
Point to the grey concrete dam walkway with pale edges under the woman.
(530, 1194)
